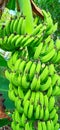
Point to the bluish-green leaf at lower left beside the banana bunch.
(4, 90)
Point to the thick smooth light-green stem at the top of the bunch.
(26, 10)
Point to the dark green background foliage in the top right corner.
(53, 6)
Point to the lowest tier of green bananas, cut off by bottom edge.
(22, 122)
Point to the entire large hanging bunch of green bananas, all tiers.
(34, 81)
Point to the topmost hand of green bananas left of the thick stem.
(13, 25)
